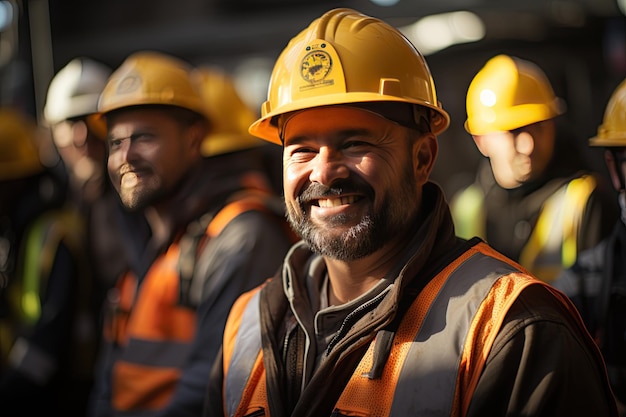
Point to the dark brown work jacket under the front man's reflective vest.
(525, 373)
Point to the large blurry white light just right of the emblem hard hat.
(436, 32)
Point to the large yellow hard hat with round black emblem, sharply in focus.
(347, 57)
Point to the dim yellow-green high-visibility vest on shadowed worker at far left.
(36, 258)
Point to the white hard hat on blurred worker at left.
(75, 89)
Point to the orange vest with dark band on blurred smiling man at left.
(155, 324)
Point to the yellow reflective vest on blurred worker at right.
(553, 243)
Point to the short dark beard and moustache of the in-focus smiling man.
(376, 228)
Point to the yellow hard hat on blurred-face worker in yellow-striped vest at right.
(508, 93)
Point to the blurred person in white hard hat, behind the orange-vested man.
(79, 137)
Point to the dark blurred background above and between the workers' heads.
(581, 45)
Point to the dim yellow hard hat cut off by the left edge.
(19, 152)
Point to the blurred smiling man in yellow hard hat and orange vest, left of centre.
(217, 230)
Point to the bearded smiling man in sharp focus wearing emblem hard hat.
(381, 310)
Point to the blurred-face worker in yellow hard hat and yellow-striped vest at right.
(532, 200)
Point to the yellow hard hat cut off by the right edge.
(612, 131)
